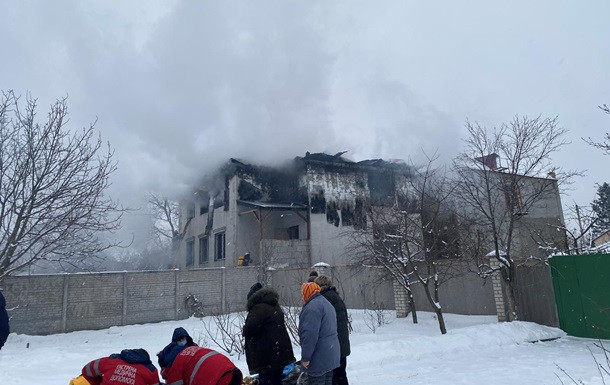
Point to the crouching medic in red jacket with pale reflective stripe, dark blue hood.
(183, 362)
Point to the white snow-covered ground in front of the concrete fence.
(476, 351)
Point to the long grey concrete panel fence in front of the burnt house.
(47, 304)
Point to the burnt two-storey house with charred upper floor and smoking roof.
(290, 215)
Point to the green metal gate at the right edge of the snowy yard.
(582, 293)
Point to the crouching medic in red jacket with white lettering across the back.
(131, 366)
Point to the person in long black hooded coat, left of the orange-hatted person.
(268, 346)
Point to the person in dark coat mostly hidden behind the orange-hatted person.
(328, 291)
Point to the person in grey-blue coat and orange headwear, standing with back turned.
(320, 350)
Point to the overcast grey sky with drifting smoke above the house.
(179, 86)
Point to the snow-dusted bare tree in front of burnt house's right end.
(417, 240)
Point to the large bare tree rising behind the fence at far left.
(53, 205)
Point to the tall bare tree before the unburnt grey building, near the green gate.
(497, 197)
